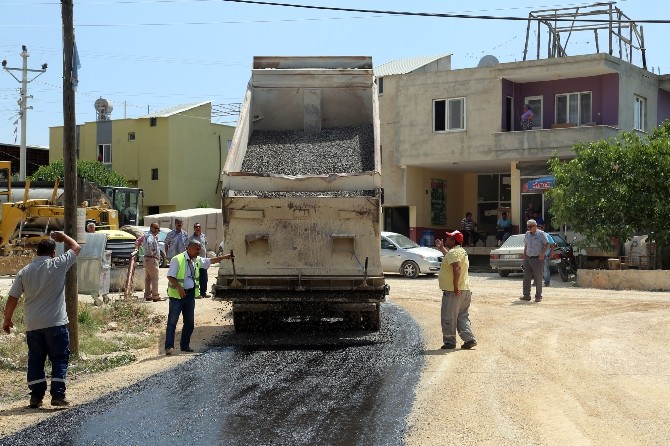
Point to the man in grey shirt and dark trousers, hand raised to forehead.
(42, 283)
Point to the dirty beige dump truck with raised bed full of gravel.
(301, 196)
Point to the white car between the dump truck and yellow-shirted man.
(401, 255)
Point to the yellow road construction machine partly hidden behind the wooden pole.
(24, 223)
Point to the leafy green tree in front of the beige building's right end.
(615, 189)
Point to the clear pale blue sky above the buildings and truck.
(152, 54)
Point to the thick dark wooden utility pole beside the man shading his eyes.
(70, 166)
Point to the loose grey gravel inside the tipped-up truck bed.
(295, 152)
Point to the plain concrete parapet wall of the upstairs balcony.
(542, 143)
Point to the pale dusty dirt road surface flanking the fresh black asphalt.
(584, 367)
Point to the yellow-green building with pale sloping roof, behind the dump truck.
(175, 155)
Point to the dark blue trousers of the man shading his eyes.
(52, 343)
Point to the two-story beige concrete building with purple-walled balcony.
(452, 140)
